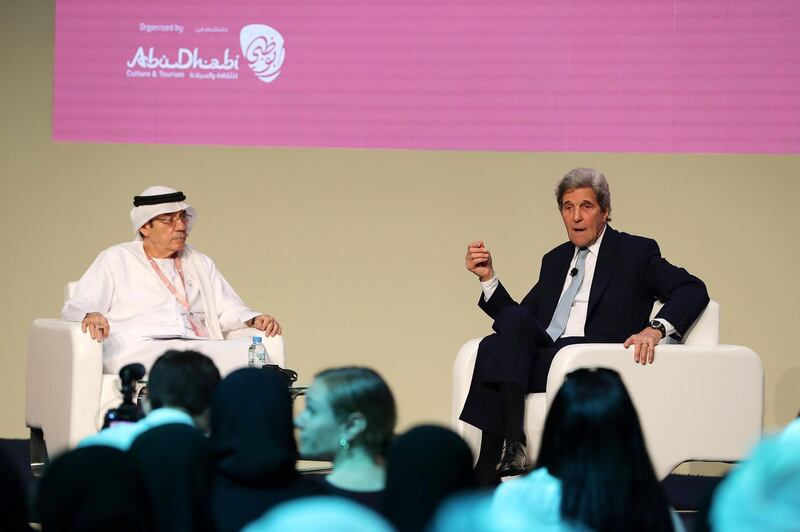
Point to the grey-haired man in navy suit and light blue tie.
(598, 287)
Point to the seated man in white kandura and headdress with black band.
(156, 293)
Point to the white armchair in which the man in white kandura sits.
(67, 393)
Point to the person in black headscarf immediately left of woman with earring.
(254, 448)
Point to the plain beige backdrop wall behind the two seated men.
(360, 252)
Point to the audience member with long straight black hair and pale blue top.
(593, 470)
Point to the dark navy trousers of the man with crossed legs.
(519, 353)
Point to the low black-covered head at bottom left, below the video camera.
(95, 488)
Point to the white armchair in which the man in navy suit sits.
(699, 401)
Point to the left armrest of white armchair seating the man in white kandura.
(63, 382)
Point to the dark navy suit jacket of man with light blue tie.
(629, 276)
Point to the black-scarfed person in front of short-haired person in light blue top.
(177, 464)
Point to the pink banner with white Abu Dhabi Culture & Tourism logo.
(581, 75)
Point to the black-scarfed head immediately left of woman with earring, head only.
(251, 429)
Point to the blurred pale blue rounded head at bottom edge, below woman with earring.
(332, 514)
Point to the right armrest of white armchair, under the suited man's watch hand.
(694, 402)
